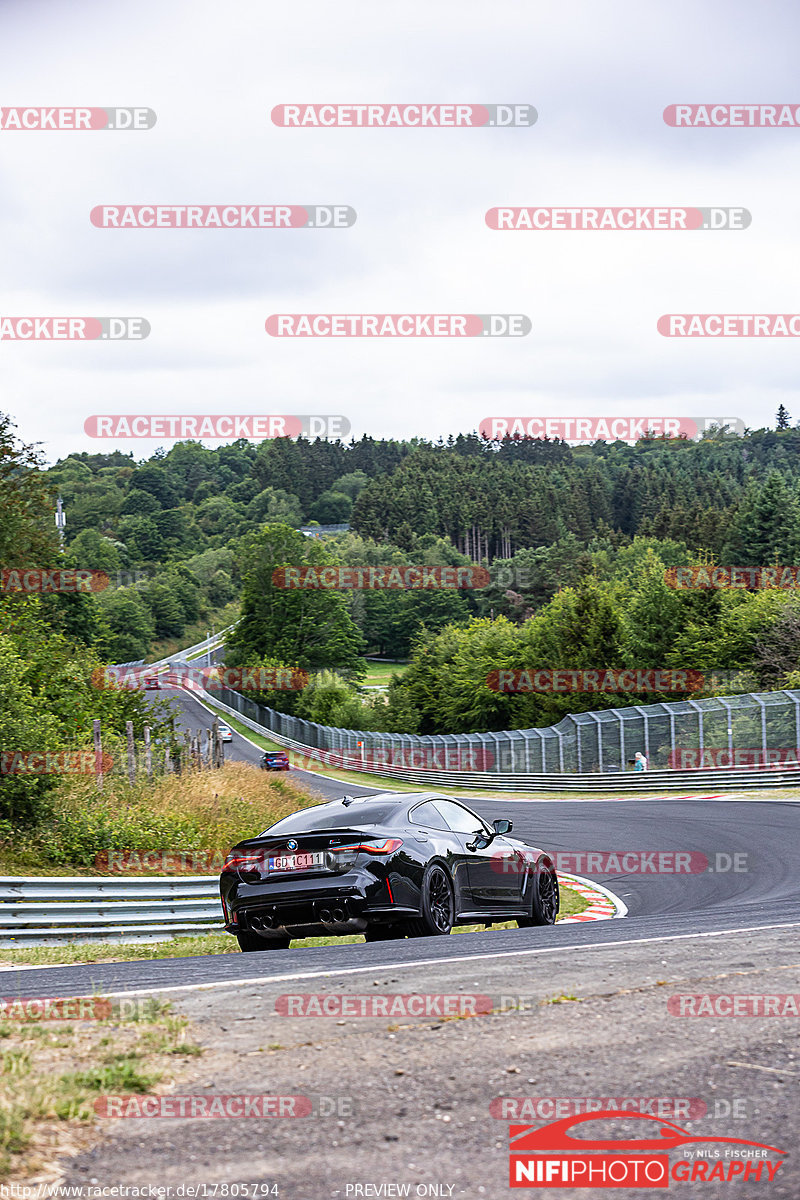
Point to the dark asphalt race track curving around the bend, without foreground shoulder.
(756, 844)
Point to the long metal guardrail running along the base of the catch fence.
(612, 782)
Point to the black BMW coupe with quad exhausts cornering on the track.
(388, 866)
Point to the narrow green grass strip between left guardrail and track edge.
(212, 944)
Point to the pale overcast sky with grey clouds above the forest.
(600, 76)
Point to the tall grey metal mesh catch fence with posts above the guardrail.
(742, 733)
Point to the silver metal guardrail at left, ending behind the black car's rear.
(39, 911)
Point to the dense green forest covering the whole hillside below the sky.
(578, 542)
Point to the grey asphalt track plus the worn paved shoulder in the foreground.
(420, 1090)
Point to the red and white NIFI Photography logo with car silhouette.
(566, 1155)
